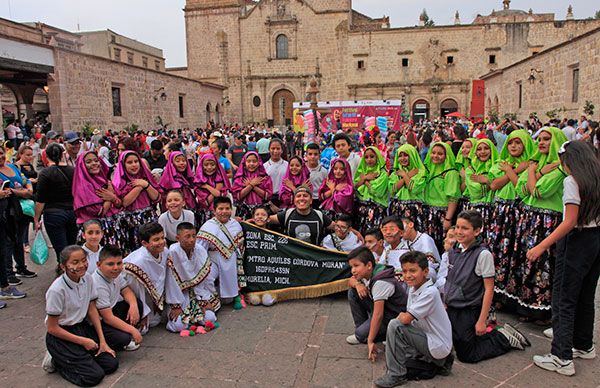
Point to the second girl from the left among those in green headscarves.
(407, 185)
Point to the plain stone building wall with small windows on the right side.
(558, 80)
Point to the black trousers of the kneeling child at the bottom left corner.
(74, 363)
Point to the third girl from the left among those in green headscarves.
(442, 191)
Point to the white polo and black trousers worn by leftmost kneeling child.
(69, 301)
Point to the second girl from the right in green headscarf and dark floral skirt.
(513, 161)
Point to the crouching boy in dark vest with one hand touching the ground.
(375, 297)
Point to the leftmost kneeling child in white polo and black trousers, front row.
(76, 350)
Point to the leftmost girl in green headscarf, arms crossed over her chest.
(371, 188)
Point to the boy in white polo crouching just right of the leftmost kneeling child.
(118, 317)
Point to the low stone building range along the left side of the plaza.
(82, 83)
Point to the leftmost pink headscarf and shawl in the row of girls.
(85, 185)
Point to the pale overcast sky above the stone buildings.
(160, 23)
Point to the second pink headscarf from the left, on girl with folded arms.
(122, 178)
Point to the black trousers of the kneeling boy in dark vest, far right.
(470, 347)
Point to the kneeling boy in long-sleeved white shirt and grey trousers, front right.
(423, 333)
